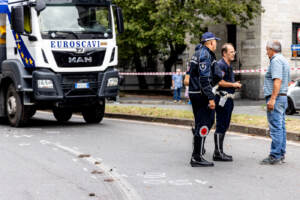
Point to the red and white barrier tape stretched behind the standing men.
(243, 71)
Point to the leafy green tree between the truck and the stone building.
(159, 27)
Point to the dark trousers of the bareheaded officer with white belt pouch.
(223, 115)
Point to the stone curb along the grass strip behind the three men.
(251, 130)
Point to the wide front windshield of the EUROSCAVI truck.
(75, 22)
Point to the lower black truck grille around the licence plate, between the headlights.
(68, 82)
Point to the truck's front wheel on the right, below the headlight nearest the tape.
(94, 114)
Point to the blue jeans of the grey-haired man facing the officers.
(276, 120)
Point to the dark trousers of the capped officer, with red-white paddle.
(203, 115)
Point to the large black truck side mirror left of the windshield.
(17, 19)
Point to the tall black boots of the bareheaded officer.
(219, 155)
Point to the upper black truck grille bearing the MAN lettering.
(71, 59)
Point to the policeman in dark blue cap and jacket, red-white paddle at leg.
(204, 74)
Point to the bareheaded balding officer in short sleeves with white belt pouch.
(224, 101)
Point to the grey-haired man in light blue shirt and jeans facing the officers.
(275, 93)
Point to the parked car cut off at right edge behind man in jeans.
(293, 97)
